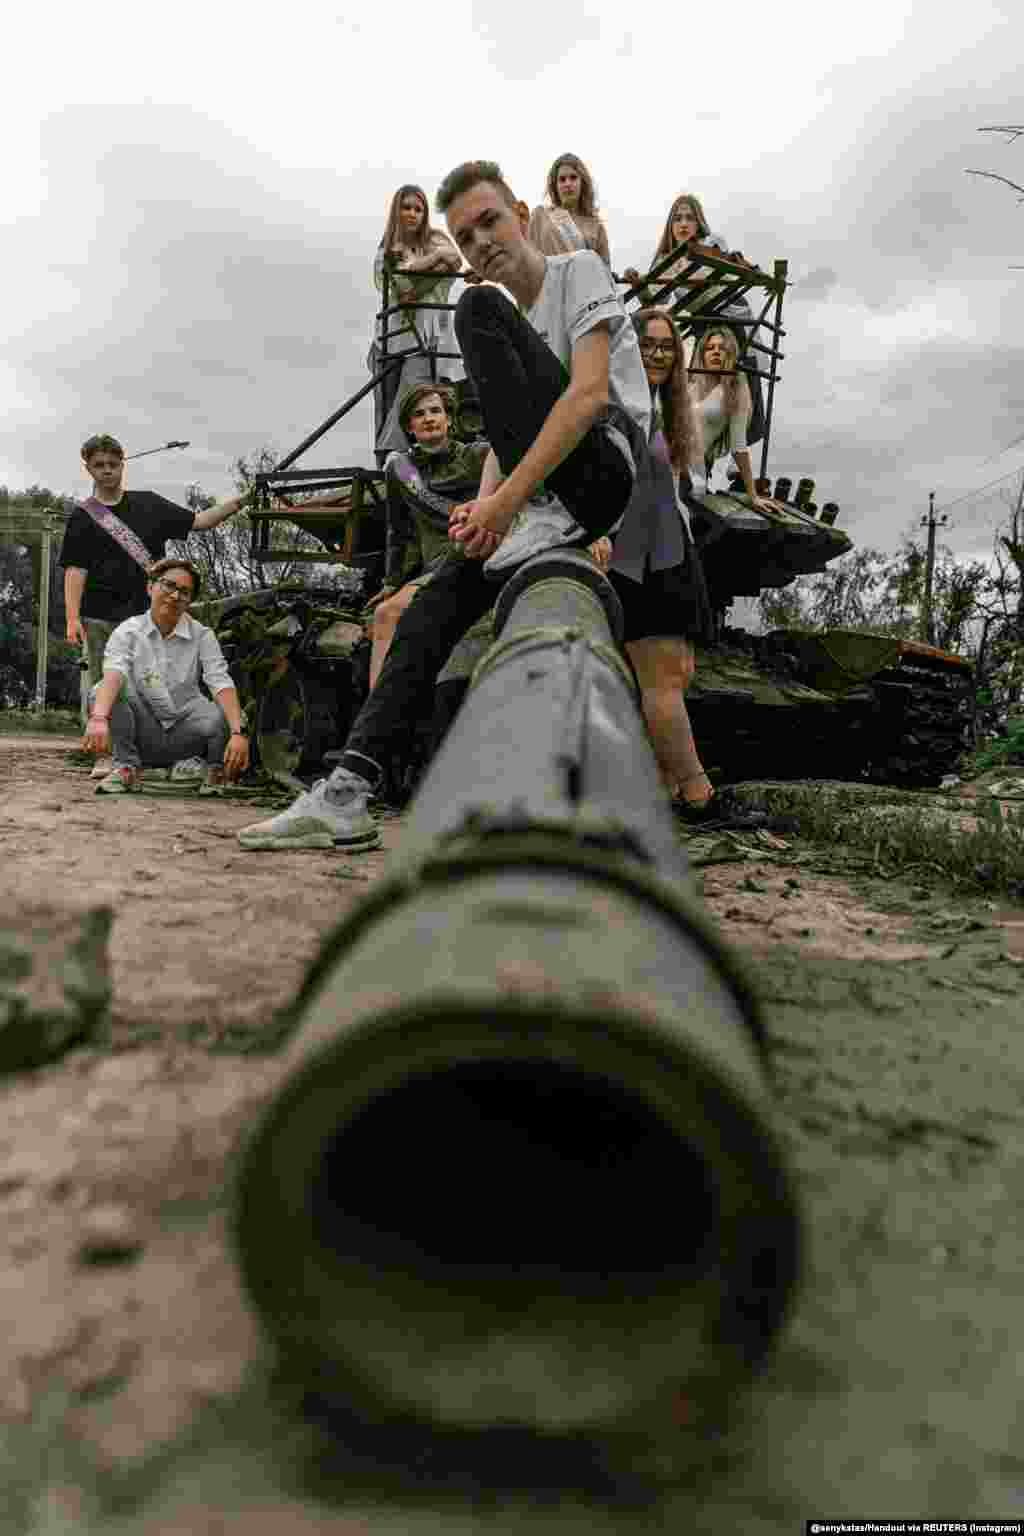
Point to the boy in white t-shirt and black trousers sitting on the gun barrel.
(566, 408)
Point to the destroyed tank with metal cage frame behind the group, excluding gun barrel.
(839, 704)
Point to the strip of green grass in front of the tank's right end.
(907, 839)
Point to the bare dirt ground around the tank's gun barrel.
(136, 1389)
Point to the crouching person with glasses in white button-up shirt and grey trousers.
(148, 710)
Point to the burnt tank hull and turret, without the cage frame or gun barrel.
(837, 704)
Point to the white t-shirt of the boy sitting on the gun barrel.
(578, 294)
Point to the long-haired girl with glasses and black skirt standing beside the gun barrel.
(656, 569)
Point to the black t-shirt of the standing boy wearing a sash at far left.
(116, 586)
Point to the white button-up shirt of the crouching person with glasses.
(167, 672)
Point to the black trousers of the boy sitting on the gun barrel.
(518, 382)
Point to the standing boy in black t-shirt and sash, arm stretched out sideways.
(105, 584)
